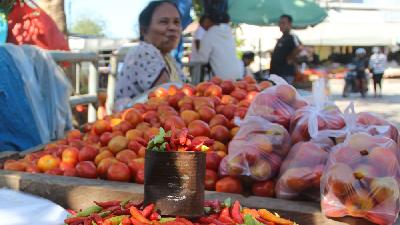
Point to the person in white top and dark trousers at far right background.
(377, 64)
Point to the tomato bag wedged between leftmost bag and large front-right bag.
(302, 169)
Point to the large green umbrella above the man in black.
(267, 12)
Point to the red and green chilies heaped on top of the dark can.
(178, 140)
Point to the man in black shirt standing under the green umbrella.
(283, 59)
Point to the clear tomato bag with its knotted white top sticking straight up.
(320, 115)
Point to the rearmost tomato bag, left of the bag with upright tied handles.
(277, 104)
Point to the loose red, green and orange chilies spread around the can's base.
(134, 213)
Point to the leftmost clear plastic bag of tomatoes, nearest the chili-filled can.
(257, 150)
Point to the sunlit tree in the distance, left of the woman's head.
(88, 26)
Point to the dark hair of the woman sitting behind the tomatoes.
(146, 15)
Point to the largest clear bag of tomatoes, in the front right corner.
(361, 179)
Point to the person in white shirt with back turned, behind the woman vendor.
(218, 48)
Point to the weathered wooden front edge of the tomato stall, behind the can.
(77, 193)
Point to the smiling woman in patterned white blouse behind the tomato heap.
(149, 64)
